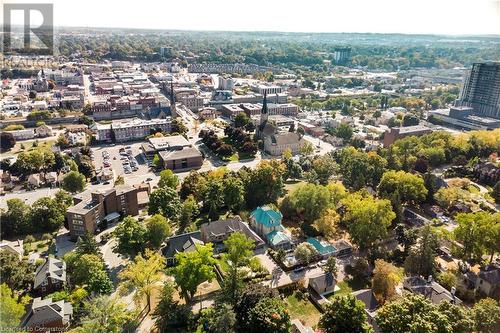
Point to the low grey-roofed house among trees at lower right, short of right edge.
(430, 289)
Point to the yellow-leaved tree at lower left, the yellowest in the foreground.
(142, 274)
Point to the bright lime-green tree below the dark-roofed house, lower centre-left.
(193, 268)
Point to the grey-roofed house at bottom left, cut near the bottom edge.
(47, 316)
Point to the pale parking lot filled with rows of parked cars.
(124, 159)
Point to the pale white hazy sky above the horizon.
(454, 17)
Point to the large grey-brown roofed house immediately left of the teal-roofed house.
(217, 232)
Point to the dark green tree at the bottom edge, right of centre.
(345, 315)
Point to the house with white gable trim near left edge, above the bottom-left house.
(50, 276)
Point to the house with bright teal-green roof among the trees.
(266, 222)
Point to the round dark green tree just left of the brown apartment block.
(47, 214)
